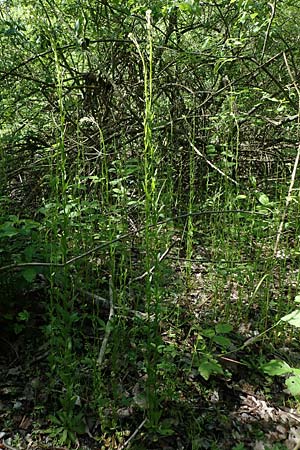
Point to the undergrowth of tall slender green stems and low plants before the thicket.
(157, 280)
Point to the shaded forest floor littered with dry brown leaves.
(238, 410)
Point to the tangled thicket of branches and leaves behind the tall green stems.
(224, 74)
